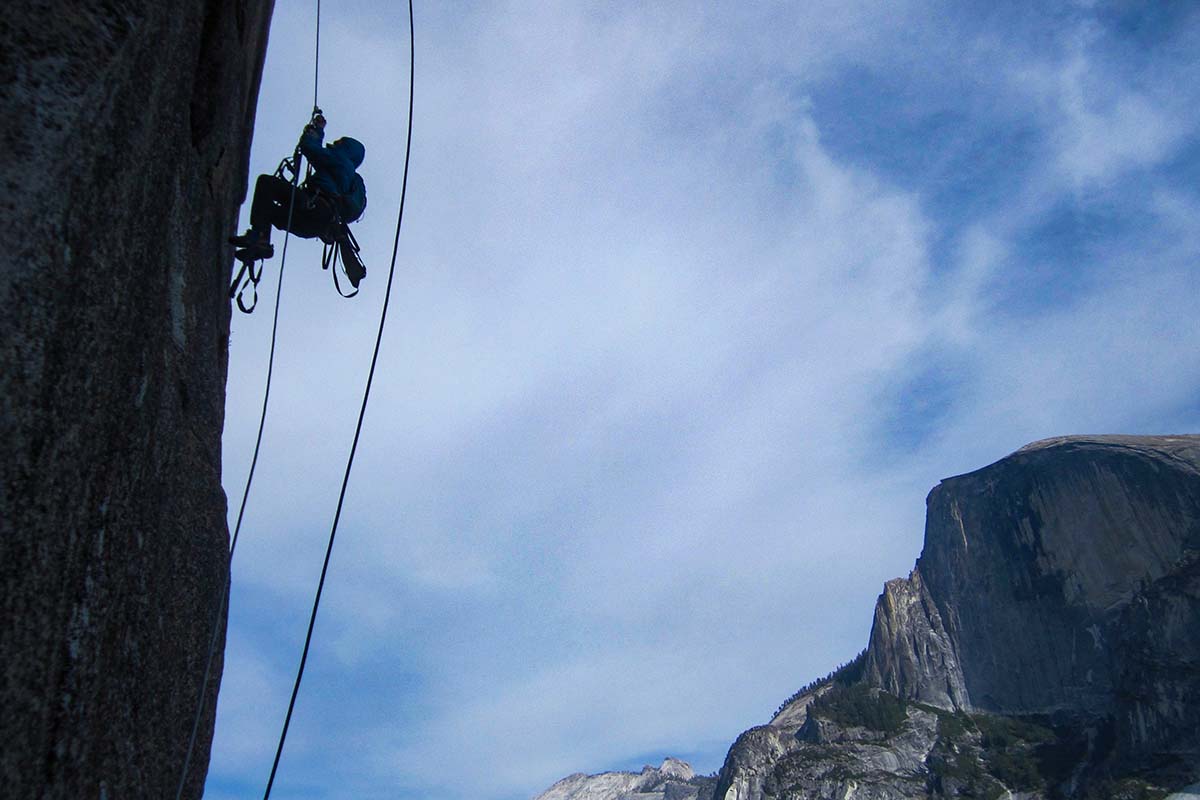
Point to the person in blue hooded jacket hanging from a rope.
(332, 197)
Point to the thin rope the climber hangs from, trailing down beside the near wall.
(259, 442)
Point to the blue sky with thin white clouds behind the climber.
(694, 305)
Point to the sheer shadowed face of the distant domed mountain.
(1048, 570)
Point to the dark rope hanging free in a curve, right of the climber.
(363, 411)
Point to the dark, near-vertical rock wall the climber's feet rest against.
(125, 140)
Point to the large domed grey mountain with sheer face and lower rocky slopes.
(1046, 646)
